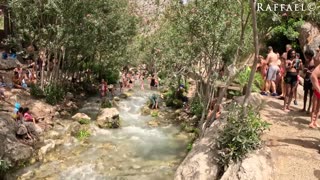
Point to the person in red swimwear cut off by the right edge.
(315, 79)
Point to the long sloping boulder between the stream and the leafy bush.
(201, 162)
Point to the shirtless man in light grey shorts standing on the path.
(273, 70)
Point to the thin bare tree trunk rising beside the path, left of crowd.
(256, 47)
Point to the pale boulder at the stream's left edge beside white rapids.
(109, 118)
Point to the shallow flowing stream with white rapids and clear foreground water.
(134, 151)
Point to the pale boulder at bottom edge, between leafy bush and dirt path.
(257, 165)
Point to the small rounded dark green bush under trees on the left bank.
(54, 93)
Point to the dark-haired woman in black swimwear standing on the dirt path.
(290, 79)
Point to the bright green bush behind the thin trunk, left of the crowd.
(243, 79)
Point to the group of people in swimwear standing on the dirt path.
(287, 72)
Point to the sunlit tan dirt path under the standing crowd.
(295, 147)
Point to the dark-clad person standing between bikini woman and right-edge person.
(307, 85)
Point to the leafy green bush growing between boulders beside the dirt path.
(241, 134)
